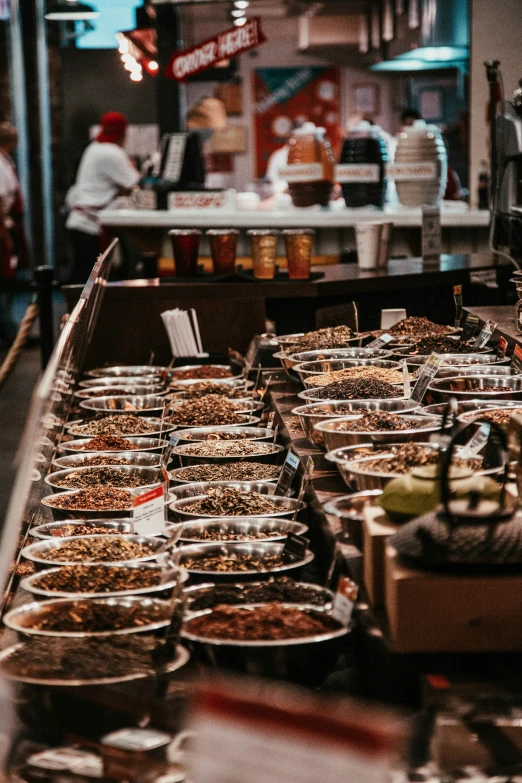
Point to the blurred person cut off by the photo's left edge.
(13, 243)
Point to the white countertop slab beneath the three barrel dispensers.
(452, 215)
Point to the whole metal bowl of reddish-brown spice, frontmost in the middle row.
(306, 655)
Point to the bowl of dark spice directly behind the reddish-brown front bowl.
(283, 589)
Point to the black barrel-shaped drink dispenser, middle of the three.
(365, 144)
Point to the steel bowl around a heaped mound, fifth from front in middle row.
(188, 495)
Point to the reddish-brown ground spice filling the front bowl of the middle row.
(264, 623)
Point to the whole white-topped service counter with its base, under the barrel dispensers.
(464, 230)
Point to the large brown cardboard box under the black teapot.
(436, 612)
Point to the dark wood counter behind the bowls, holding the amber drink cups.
(229, 313)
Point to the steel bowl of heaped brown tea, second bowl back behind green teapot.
(335, 438)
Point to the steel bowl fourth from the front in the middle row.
(234, 529)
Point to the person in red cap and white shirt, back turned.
(105, 172)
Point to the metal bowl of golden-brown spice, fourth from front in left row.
(71, 550)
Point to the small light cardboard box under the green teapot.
(377, 528)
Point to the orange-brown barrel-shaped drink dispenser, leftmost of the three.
(308, 145)
